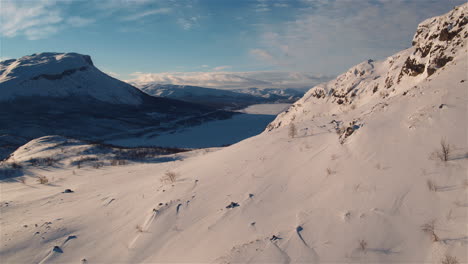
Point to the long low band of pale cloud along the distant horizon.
(232, 80)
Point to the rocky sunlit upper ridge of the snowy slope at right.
(437, 42)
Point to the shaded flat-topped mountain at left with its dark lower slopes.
(65, 94)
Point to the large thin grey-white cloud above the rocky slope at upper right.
(332, 35)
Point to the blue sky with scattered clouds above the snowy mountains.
(193, 40)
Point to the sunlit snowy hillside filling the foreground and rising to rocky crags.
(368, 168)
